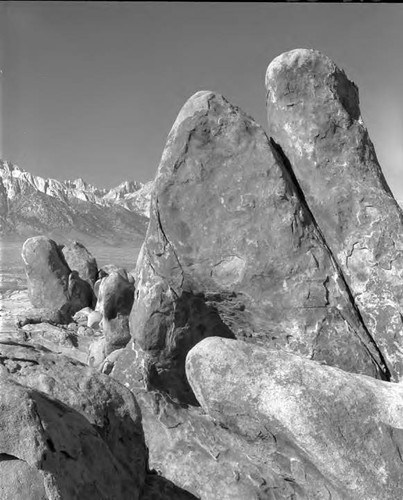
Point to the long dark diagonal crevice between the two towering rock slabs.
(369, 343)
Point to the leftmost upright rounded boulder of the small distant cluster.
(47, 273)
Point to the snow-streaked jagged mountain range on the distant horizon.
(31, 205)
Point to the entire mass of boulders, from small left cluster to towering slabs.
(256, 351)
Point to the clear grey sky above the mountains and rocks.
(91, 89)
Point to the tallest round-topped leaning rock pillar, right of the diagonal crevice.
(314, 115)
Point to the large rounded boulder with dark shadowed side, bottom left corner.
(79, 432)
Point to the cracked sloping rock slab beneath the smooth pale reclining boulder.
(213, 462)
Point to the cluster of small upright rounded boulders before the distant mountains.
(66, 287)
